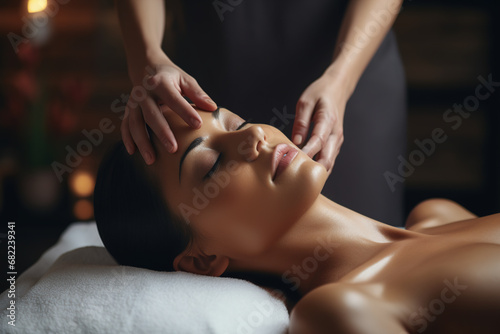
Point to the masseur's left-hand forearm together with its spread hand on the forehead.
(156, 80)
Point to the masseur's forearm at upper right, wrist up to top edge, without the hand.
(363, 28)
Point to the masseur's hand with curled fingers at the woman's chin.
(322, 105)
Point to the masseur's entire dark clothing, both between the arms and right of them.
(261, 56)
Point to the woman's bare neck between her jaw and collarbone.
(325, 244)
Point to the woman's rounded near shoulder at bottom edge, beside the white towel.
(342, 308)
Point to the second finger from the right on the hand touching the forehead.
(172, 97)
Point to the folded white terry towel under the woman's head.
(85, 291)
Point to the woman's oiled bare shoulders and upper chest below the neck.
(444, 277)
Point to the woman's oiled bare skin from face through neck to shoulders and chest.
(440, 275)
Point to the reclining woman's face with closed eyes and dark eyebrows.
(233, 184)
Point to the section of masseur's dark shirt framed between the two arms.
(261, 55)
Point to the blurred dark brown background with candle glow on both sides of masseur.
(72, 76)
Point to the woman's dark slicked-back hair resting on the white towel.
(133, 219)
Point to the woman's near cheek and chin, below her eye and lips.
(243, 214)
